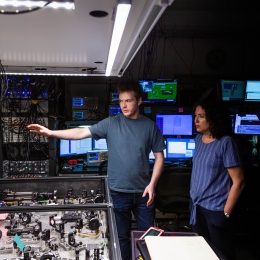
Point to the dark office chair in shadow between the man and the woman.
(173, 194)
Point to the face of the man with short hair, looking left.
(129, 104)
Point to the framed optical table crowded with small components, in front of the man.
(70, 219)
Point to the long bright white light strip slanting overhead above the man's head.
(122, 13)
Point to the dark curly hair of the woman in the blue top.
(218, 116)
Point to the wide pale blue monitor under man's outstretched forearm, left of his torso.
(75, 147)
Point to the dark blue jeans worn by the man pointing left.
(124, 205)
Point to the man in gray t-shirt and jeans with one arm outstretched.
(130, 137)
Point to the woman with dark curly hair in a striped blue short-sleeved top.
(217, 179)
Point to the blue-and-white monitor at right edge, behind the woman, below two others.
(247, 124)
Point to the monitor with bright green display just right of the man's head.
(159, 91)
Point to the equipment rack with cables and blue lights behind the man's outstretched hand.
(26, 100)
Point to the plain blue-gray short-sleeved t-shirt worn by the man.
(129, 143)
